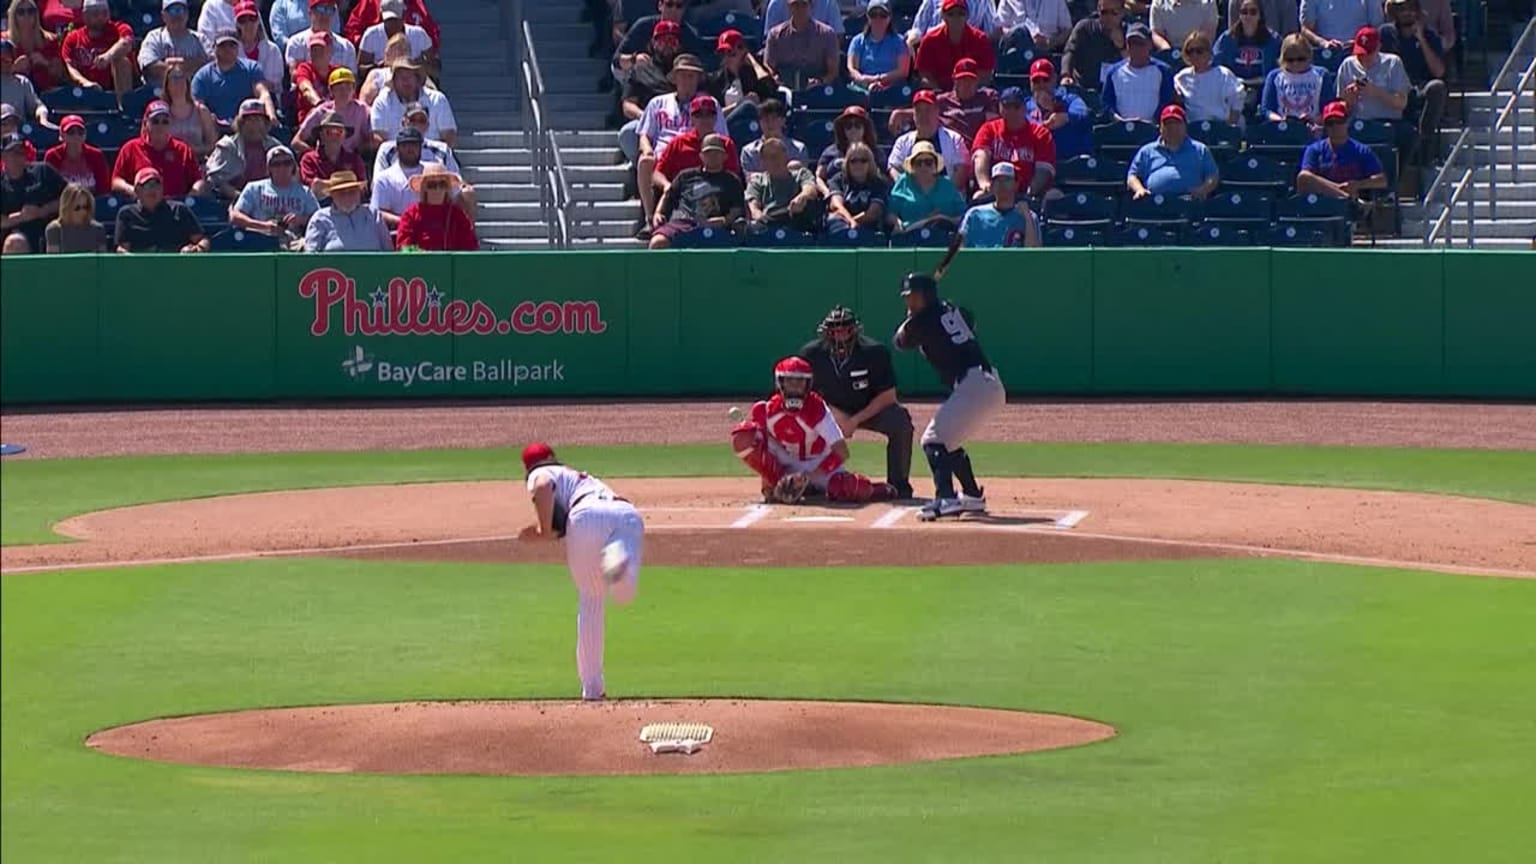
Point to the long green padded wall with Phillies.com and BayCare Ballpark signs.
(139, 328)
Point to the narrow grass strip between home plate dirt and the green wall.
(35, 494)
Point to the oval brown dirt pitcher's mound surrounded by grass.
(591, 739)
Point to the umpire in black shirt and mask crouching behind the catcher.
(856, 377)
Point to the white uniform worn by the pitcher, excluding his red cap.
(594, 517)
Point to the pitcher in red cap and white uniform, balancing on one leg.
(603, 537)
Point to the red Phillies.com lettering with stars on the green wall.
(408, 307)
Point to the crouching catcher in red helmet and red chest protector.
(793, 444)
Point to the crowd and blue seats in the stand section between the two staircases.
(872, 122)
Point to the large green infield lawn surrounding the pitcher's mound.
(1270, 711)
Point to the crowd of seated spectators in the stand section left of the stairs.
(211, 125)
